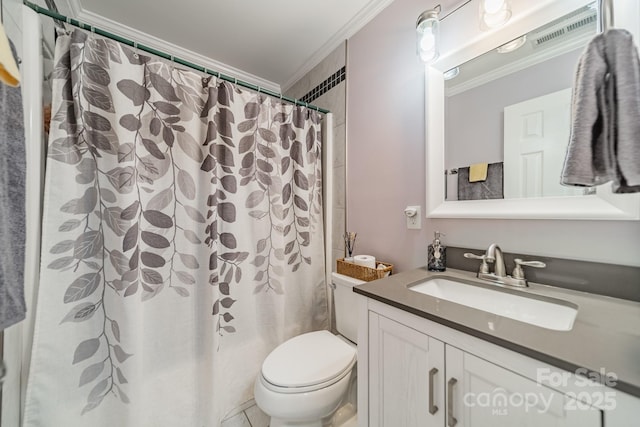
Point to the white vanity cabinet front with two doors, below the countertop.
(416, 372)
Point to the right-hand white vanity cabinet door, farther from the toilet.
(481, 394)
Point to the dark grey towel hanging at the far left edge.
(12, 211)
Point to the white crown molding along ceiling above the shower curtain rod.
(115, 27)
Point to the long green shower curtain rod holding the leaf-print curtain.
(164, 55)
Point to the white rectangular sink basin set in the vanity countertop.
(538, 312)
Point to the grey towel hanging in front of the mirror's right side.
(604, 144)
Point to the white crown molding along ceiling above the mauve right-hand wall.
(347, 31)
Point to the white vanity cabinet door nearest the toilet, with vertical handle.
(406, 376)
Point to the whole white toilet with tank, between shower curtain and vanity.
(309, 380)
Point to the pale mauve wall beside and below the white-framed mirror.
(385, 164)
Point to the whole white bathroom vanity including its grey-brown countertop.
(426, 361)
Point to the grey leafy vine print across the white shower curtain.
(146, 147)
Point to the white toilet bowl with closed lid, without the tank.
(305, 379)
